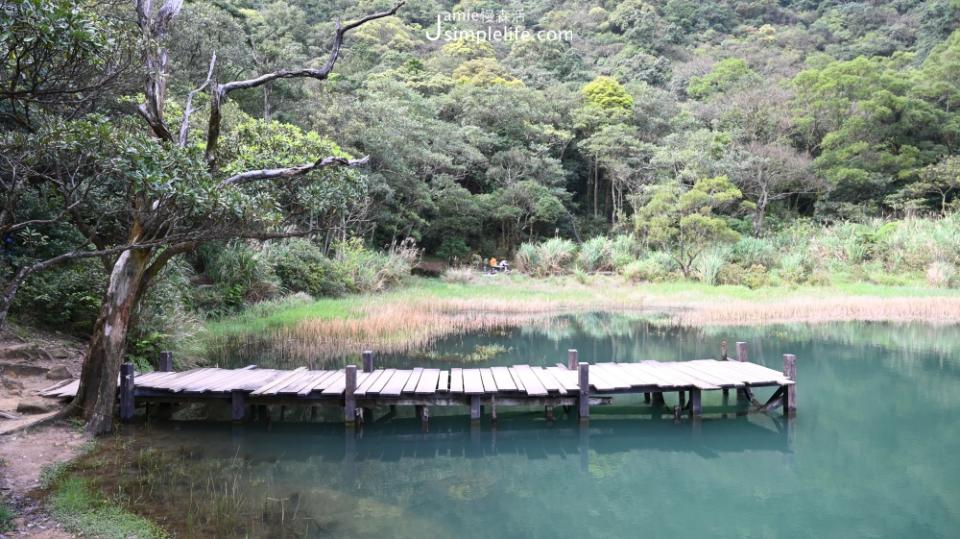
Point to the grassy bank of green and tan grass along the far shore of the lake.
(301, 330)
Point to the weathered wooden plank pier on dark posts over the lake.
(577, 385)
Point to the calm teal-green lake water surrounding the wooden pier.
(873, 452)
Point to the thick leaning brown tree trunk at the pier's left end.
(101, 366)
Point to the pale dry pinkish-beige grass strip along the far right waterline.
(932, 310)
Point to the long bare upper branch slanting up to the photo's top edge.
(220, 92)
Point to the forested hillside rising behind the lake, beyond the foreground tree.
(830, 110)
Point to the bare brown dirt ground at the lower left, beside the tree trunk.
(28, 364)
